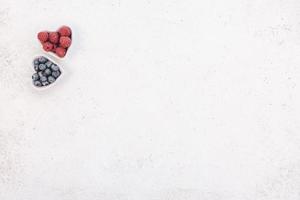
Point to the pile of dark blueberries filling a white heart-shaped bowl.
(46, 72)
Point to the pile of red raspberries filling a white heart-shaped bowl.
(57, 42)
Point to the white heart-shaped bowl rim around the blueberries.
(57, 79)
